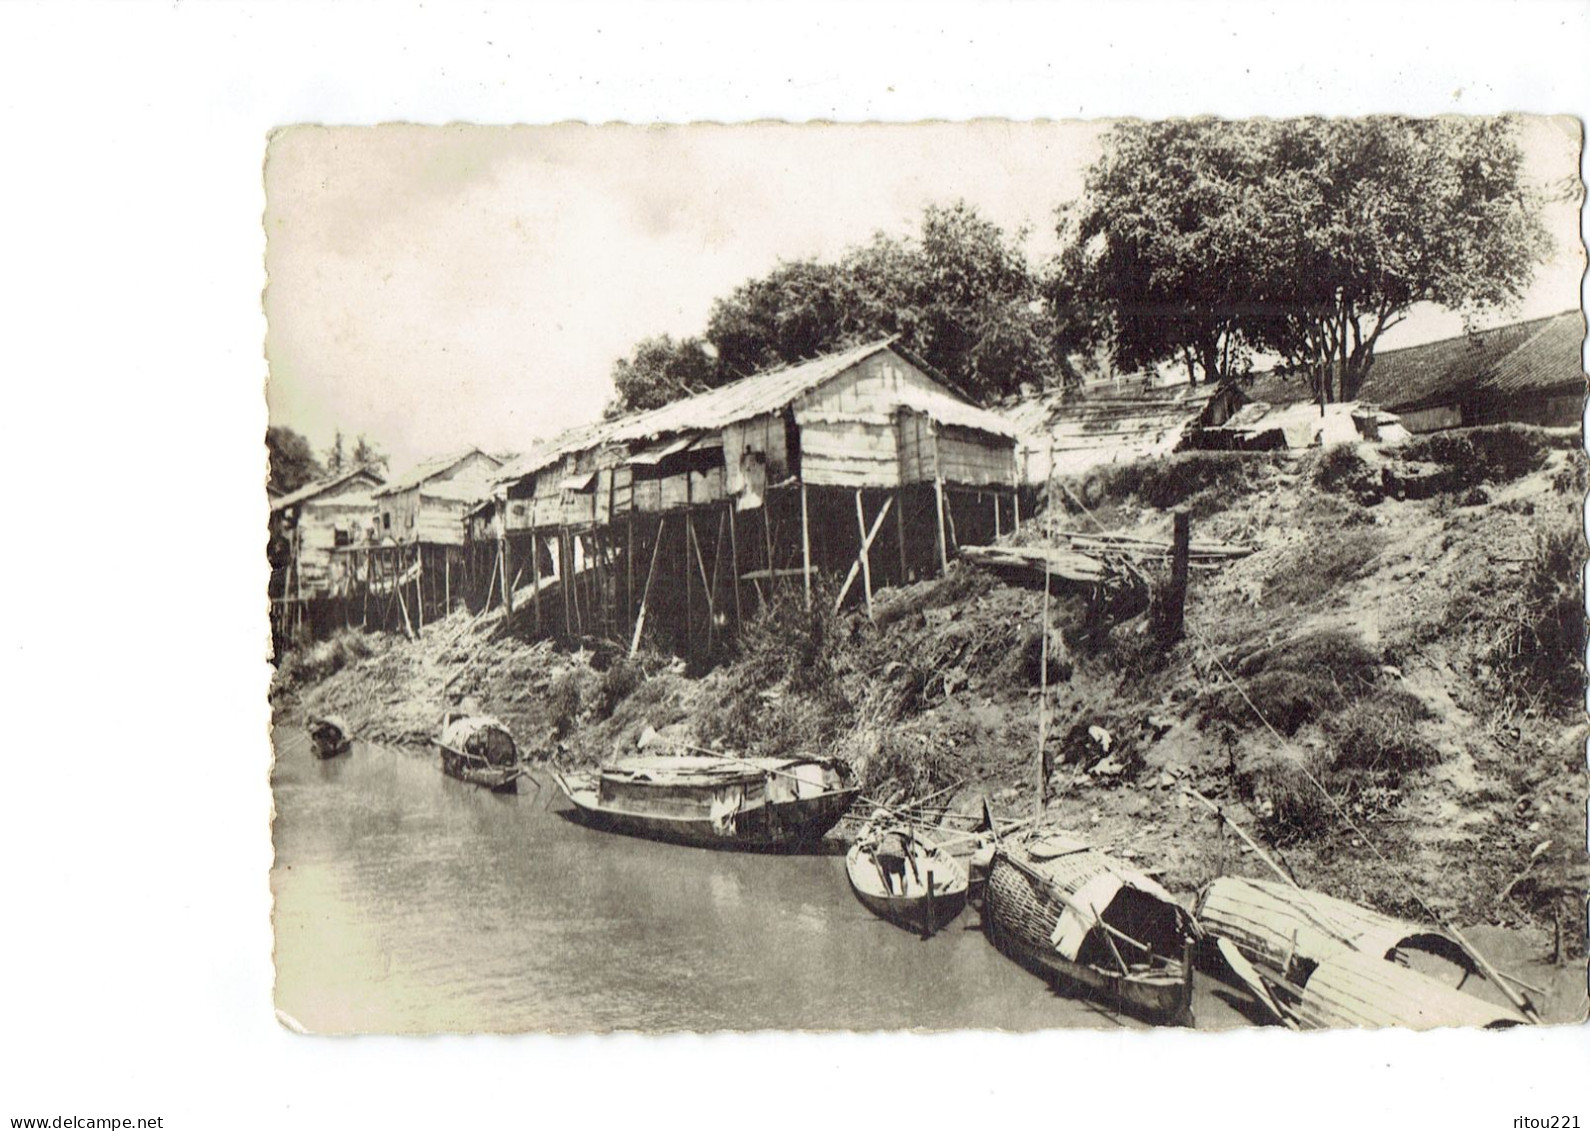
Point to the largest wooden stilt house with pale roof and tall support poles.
(859, 467)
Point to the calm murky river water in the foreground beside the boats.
(413, 903)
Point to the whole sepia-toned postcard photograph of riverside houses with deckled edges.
(928, 577)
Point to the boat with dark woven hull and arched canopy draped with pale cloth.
(1095, 923)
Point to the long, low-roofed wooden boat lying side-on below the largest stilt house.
(775, 804)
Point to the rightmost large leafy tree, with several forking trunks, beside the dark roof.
(1370, 217)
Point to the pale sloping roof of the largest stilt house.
(747, 398)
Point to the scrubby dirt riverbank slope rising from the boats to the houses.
(1417, 658)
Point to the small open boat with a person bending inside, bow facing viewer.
(926, 896)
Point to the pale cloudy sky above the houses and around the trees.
(443, 287)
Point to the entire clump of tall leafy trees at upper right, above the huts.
(1206, 241)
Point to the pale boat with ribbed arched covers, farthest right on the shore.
(1324, 963)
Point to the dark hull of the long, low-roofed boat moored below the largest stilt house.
(769, 828)
